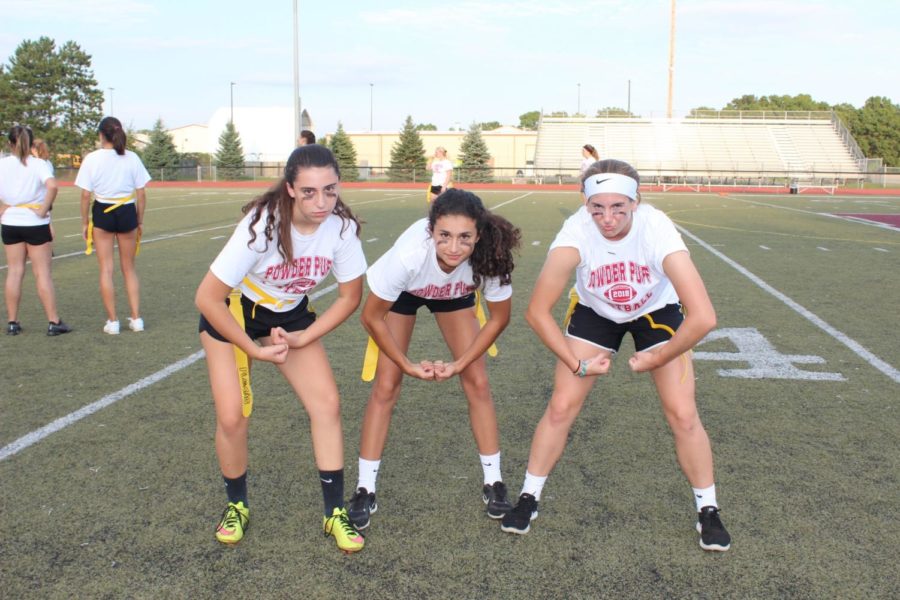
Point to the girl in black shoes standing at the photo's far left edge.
(27, 191)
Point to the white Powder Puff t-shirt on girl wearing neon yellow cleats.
(325, 251)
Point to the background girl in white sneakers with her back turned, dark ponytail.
(116, 178)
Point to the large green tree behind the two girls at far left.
(53, 91)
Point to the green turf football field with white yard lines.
(798, 392)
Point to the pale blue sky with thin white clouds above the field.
(452, 63)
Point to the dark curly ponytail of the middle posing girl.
(497, 237)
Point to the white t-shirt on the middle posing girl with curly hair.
(411, 266)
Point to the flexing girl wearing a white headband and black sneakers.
(633, 274)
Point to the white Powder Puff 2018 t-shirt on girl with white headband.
(622, 280)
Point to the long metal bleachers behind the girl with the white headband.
(773, 149)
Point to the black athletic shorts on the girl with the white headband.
(588, 326)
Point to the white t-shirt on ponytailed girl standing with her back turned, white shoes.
(110, 176)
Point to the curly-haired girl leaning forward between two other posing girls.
(439, 262)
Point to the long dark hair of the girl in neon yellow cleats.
(278, 204)
